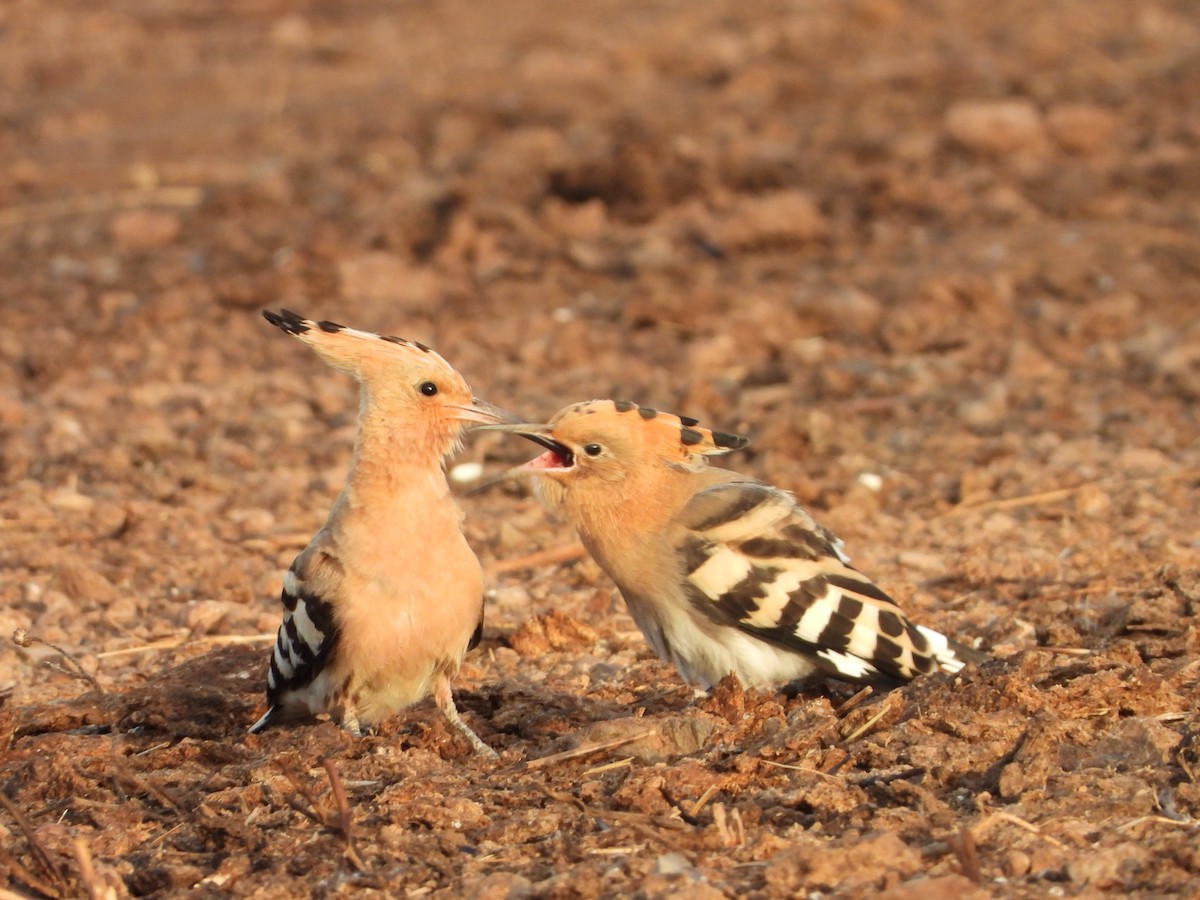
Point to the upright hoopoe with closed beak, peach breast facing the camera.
(387, 599)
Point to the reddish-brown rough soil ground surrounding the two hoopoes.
(940, 260)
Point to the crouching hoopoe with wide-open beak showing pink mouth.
(722, 573)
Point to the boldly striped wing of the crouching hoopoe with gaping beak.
(755, 561)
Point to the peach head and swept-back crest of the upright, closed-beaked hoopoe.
(404, 382)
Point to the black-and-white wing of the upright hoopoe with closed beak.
(308, 637)
